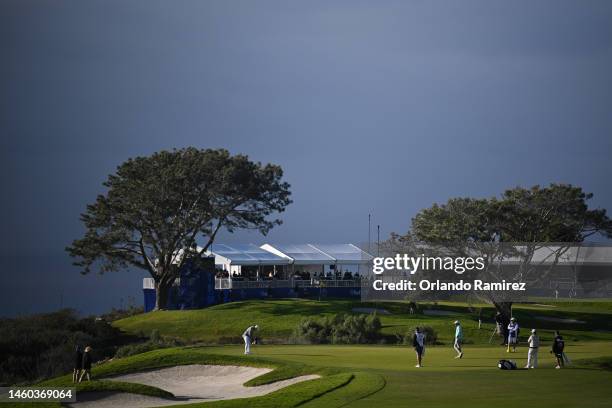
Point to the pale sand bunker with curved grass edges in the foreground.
(190, 383)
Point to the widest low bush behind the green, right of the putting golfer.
(339, 329)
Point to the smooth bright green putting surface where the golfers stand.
(473, 381)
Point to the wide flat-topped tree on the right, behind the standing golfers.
(531, 217)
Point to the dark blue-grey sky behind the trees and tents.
(381, 107)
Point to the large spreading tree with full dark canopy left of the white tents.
(157, 208)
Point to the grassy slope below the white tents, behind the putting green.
(277, 318)
